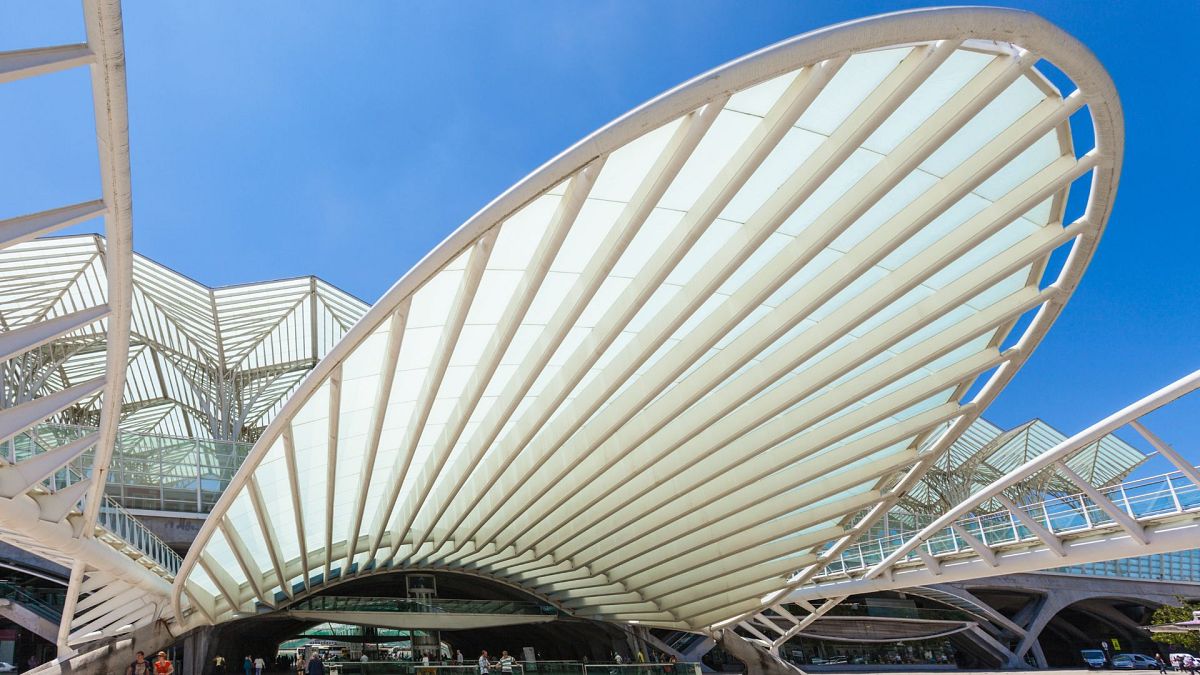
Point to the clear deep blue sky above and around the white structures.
(275, 139)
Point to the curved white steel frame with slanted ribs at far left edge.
(110, 592)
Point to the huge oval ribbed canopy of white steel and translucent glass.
(652, 380)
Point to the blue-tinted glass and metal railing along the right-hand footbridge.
(1153, 498)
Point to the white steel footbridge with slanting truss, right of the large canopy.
(1149, 516)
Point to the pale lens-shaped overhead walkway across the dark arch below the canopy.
(437, 614)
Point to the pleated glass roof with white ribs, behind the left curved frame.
(203, 363)
